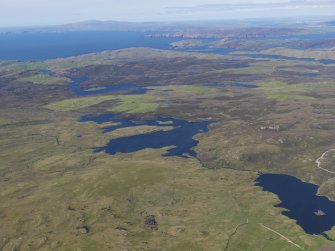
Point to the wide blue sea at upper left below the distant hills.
(42, 46)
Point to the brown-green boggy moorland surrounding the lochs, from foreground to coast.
(57, 194)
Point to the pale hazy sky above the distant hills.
(50, 12)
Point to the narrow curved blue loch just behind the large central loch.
(78, 89)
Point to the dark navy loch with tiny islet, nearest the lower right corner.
(301, 202)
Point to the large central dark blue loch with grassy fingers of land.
(181, 137)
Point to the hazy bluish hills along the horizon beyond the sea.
(190, 26)
